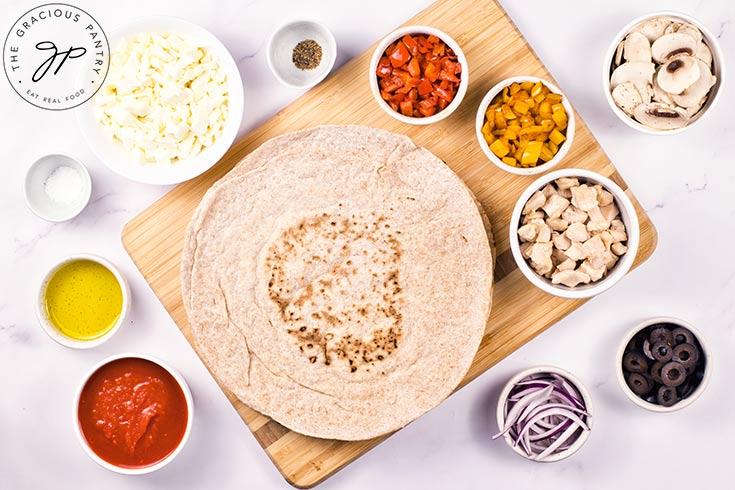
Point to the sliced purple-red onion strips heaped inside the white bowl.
(544, 415)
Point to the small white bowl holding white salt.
(57, 187)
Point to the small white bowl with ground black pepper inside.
(301, 53)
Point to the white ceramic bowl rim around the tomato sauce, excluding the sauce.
(147, 469)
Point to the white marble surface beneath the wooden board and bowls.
(685, 182)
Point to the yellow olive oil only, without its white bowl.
(83, 300)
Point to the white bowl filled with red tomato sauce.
(133, 413)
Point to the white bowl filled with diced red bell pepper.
(418, 74)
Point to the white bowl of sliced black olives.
(663, 364)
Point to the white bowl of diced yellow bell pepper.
(525, 125)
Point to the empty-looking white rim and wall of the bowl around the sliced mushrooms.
(718, 64)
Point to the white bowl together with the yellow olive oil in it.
(82, 301)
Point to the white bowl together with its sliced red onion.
(544, 414)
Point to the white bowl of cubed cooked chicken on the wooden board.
(574, 233)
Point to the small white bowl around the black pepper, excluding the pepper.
(280, 53)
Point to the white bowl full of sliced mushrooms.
(663, 72)
